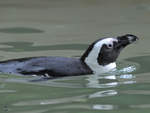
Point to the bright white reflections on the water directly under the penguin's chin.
(111, 80)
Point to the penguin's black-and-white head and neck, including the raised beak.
(101, 55)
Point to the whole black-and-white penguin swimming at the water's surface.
(99, 58)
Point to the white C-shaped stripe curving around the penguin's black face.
(91, 59)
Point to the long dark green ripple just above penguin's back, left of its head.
(29, 46)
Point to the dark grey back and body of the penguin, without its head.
(46, 66)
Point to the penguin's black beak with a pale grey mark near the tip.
(125, 40)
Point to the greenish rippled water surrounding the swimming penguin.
(66, 28)
